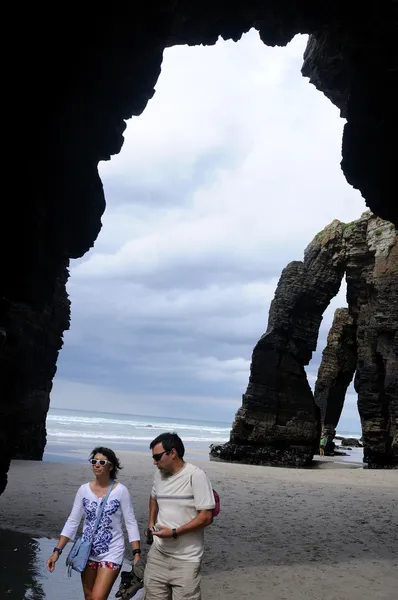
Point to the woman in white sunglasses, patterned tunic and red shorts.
(107, 550)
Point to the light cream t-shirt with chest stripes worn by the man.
(180, 497)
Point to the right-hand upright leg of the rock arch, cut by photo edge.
(372, 295)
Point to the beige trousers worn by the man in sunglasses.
(169, 578)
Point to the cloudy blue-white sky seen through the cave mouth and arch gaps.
(224, 179)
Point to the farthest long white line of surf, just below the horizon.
(80, 420)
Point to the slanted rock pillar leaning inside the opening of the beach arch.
(338, 365)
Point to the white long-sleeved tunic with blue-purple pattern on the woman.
(108, 541)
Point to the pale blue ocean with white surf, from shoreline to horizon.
(71, 434)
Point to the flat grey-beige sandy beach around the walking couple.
(282, 534)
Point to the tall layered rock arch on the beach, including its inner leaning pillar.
(279, 421)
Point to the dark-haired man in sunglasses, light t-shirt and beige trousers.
(180, 507)
